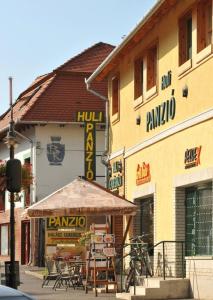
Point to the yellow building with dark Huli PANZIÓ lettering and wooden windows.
(161, 132)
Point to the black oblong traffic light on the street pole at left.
(13, 174)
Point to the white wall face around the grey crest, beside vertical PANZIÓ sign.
(49, 177)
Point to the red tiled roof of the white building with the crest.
(57, 96)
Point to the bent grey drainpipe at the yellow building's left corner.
(105, 155)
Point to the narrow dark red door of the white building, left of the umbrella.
(25, 242)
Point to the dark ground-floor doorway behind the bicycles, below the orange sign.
(144, 219)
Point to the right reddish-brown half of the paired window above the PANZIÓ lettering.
(151, 67)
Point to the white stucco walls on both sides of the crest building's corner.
(48, 178)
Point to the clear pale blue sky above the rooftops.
(36, 36)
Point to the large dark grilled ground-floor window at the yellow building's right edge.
(199, 213)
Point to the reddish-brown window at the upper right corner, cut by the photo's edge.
(204, 24)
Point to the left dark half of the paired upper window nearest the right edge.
(185, 38)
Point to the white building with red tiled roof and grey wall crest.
(51, 138)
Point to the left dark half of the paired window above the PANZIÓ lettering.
(138, 78)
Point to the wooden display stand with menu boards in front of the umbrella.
(100, 267)
